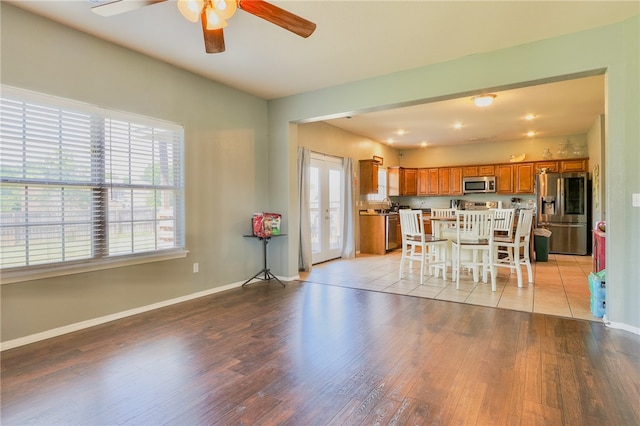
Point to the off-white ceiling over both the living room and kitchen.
(358, 39)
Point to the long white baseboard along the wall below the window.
(10, 344)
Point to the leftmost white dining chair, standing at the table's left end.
(416, 246)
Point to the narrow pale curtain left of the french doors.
(304, 162)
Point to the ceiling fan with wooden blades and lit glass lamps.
(214, 14)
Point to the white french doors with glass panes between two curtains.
(325, 206)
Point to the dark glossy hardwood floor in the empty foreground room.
(312, 354)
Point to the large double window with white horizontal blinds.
(81, 183)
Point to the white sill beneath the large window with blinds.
(58, 271)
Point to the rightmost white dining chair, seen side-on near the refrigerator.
(518, 246)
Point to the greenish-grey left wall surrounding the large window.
(226, 173)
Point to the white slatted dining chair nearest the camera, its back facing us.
(475, 235)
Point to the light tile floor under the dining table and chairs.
(560, 285)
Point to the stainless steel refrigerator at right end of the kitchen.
(562, 203)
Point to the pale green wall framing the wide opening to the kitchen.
(613, 48)
